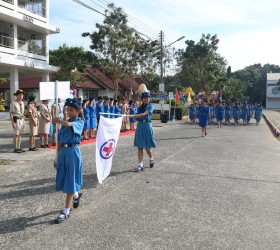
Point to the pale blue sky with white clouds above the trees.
(248, 30)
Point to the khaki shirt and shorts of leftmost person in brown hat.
(17, 108)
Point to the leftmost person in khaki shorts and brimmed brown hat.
(17, 119)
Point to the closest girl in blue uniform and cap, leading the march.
(68, 164)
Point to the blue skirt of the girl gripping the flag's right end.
(144, 135)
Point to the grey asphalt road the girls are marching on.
(217, 192)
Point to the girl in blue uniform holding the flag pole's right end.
(144, 135)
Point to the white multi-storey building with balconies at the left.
(24, 30)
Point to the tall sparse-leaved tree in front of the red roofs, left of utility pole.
(120, 49)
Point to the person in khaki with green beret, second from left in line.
(33, 121)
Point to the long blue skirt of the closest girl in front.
(69, 178)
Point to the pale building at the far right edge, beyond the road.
(272, 91)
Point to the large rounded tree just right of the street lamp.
(200, 65)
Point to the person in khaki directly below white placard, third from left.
(44, 123)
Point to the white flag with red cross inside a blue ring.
(106, 143)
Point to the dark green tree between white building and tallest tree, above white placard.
(72, 62)
